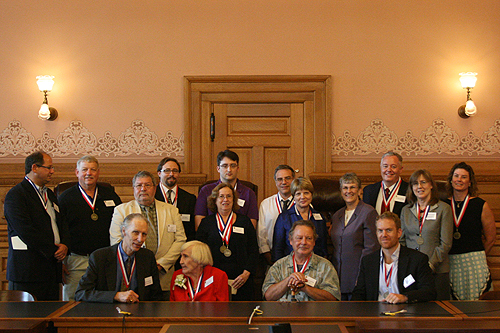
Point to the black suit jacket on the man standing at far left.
(27, 219)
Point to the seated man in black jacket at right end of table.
(395, 274)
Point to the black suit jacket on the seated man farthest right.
(410, 262)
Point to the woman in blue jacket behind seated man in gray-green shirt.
(301, 209)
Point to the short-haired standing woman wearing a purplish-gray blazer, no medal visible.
(353, 234)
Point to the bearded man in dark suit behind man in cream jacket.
(168, 191)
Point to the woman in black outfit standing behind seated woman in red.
(232, 240)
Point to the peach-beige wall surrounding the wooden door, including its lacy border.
(119, 68)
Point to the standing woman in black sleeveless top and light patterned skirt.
(473, 218)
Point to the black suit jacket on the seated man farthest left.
(99, 284)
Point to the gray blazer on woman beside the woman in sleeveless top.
(437, 234)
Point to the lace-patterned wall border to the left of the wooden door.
(76, 140)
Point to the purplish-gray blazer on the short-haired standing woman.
(351, 242)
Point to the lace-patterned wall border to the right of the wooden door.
(437, 139)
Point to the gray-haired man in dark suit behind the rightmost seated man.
(390, 193)
